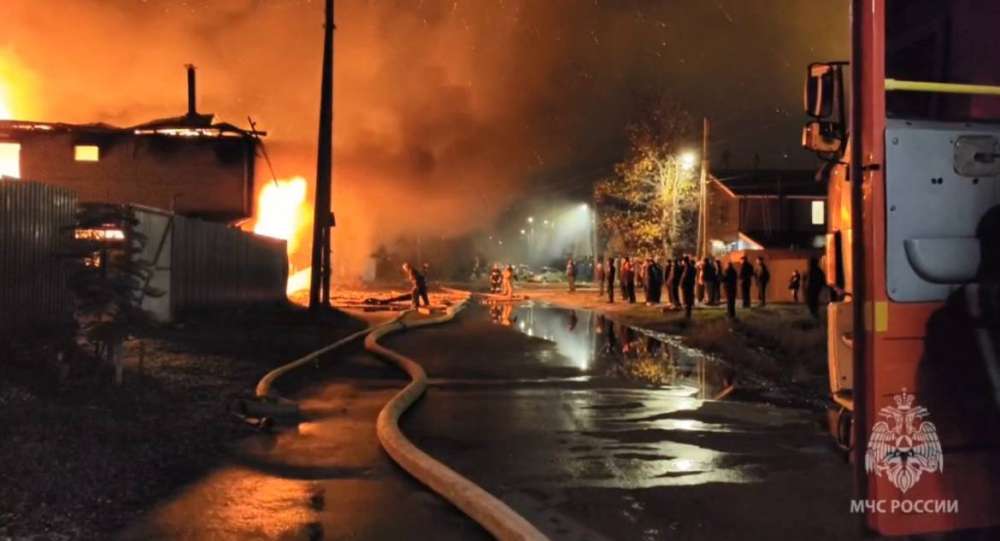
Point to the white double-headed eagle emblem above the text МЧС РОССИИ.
(904, 446)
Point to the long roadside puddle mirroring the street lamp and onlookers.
(597, 345)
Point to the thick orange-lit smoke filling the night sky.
(446, 110)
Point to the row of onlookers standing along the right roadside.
(682, 282)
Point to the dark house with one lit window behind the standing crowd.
(766, 210)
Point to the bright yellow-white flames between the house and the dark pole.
(282, 213)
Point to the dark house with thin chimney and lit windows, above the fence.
(186, 164)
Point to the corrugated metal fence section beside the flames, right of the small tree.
(213, 265)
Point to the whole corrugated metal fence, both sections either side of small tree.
(199, 265)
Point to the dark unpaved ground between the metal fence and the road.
(81, 459)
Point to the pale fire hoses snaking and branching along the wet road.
(481, 506)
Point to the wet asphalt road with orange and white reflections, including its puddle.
(590, 430)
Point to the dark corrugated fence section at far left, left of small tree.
(33, 293)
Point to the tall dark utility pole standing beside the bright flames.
(323, 221)
